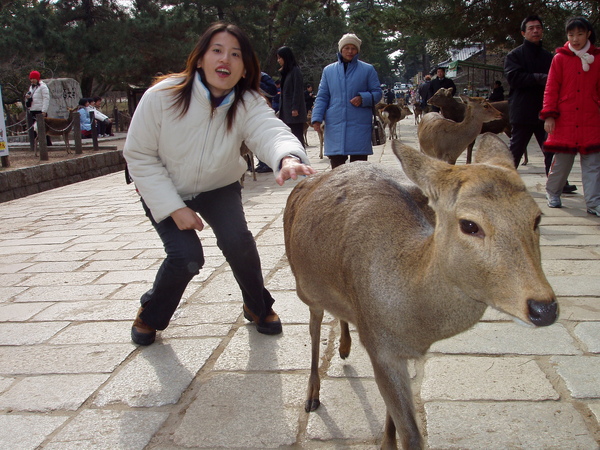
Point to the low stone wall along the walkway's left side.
(31, 180)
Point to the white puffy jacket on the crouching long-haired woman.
(173, 158)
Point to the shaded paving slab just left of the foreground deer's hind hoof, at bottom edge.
(243, 410)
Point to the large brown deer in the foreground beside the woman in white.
(413, 257)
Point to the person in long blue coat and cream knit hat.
(348, 90)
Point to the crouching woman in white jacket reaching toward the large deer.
(183, 153)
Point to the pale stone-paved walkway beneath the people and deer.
(75, 260)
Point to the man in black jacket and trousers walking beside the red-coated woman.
(526, 69)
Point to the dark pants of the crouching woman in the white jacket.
(222, 210)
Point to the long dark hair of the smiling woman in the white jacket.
(182, 92)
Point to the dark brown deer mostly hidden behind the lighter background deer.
(454, 110)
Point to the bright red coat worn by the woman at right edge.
(572, 97)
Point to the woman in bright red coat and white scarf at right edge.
(571, 114)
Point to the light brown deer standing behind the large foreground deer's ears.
(446, 139)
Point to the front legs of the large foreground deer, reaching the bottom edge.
(391, 375)
